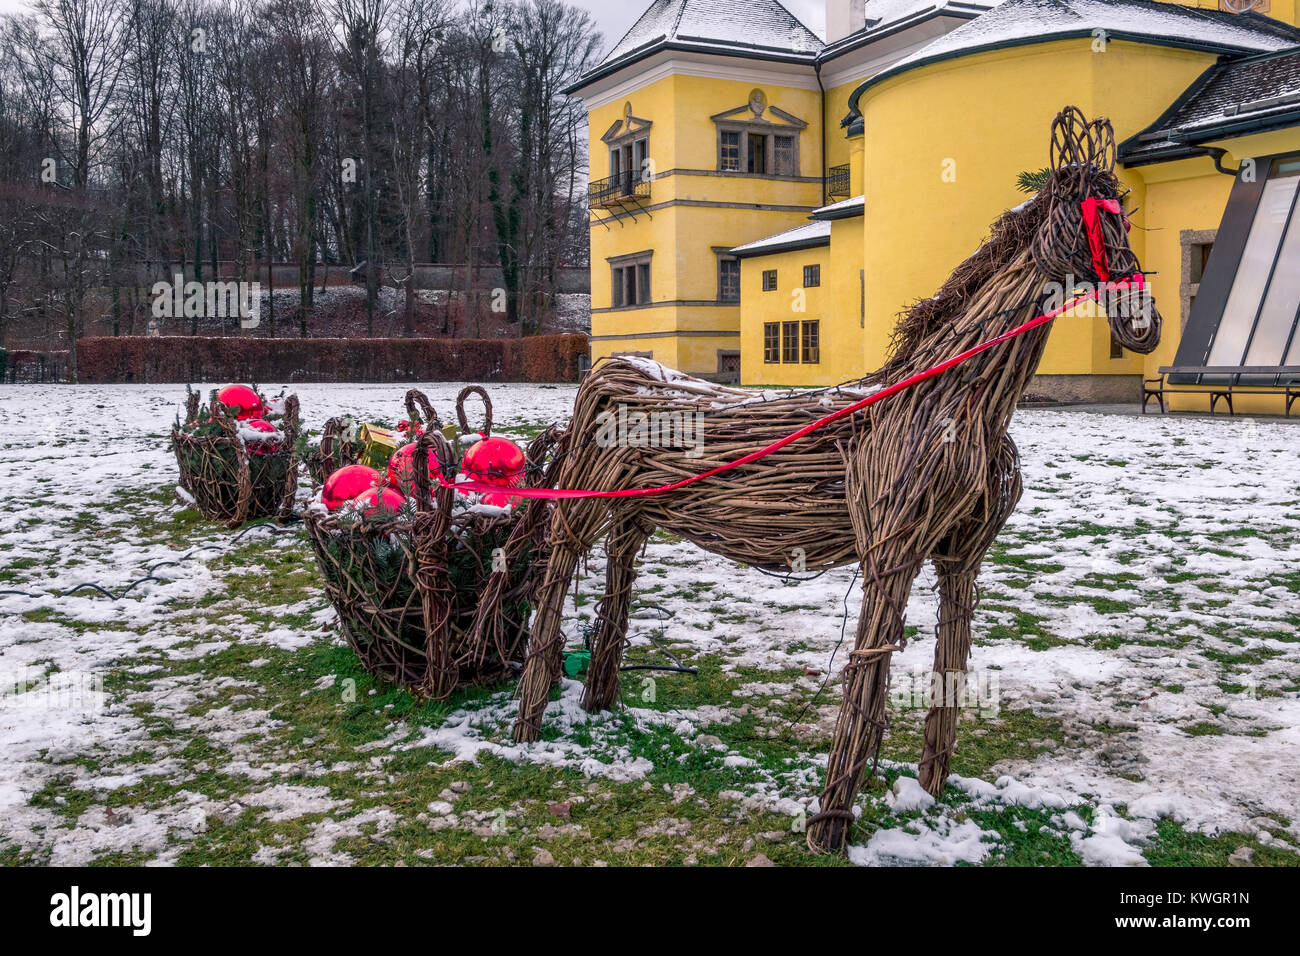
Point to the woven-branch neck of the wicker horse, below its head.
(999, 377)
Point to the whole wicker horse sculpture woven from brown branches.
(929, 474)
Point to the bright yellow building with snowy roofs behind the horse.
(792, 197)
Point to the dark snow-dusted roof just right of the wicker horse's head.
(1232, 98)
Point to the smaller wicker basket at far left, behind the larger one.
(232, 473)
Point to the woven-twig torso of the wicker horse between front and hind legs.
(786, 511)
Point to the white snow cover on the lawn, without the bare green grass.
(1155, 548)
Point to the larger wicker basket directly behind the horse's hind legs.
(424, 598)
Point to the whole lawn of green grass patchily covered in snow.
(1137, 673)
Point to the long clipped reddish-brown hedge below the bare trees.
(189, 360)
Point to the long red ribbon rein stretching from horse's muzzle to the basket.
(1136, 282)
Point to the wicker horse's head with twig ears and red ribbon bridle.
(1085, 236)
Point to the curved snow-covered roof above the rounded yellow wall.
(1015, 23)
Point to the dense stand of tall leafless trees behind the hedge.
(141, 136)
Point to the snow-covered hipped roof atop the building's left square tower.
(726, 27)
